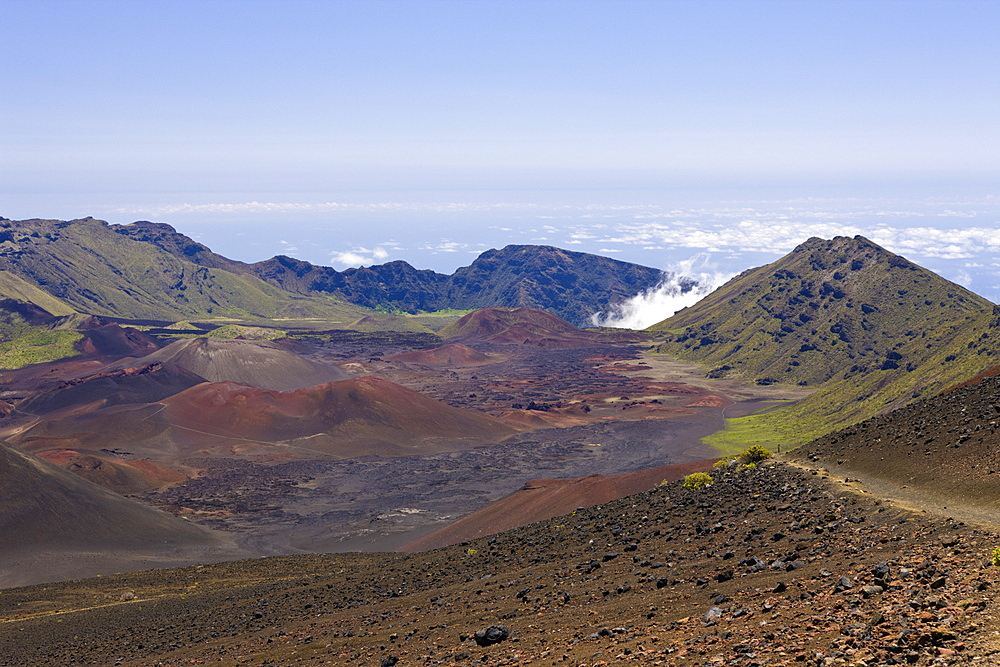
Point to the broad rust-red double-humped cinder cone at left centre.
(365, 416)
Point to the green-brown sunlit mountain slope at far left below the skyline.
(90, 267)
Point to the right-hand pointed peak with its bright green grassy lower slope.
(870, 329)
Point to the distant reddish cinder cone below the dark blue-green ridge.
(519, 326)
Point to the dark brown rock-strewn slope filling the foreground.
(768, 566)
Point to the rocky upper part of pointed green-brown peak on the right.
(829, 306)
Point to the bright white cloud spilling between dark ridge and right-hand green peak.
(684, 285)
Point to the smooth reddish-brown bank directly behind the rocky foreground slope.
(542, 499)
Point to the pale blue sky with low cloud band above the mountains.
(365, 130)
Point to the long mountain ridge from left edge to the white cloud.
(52, 261)
